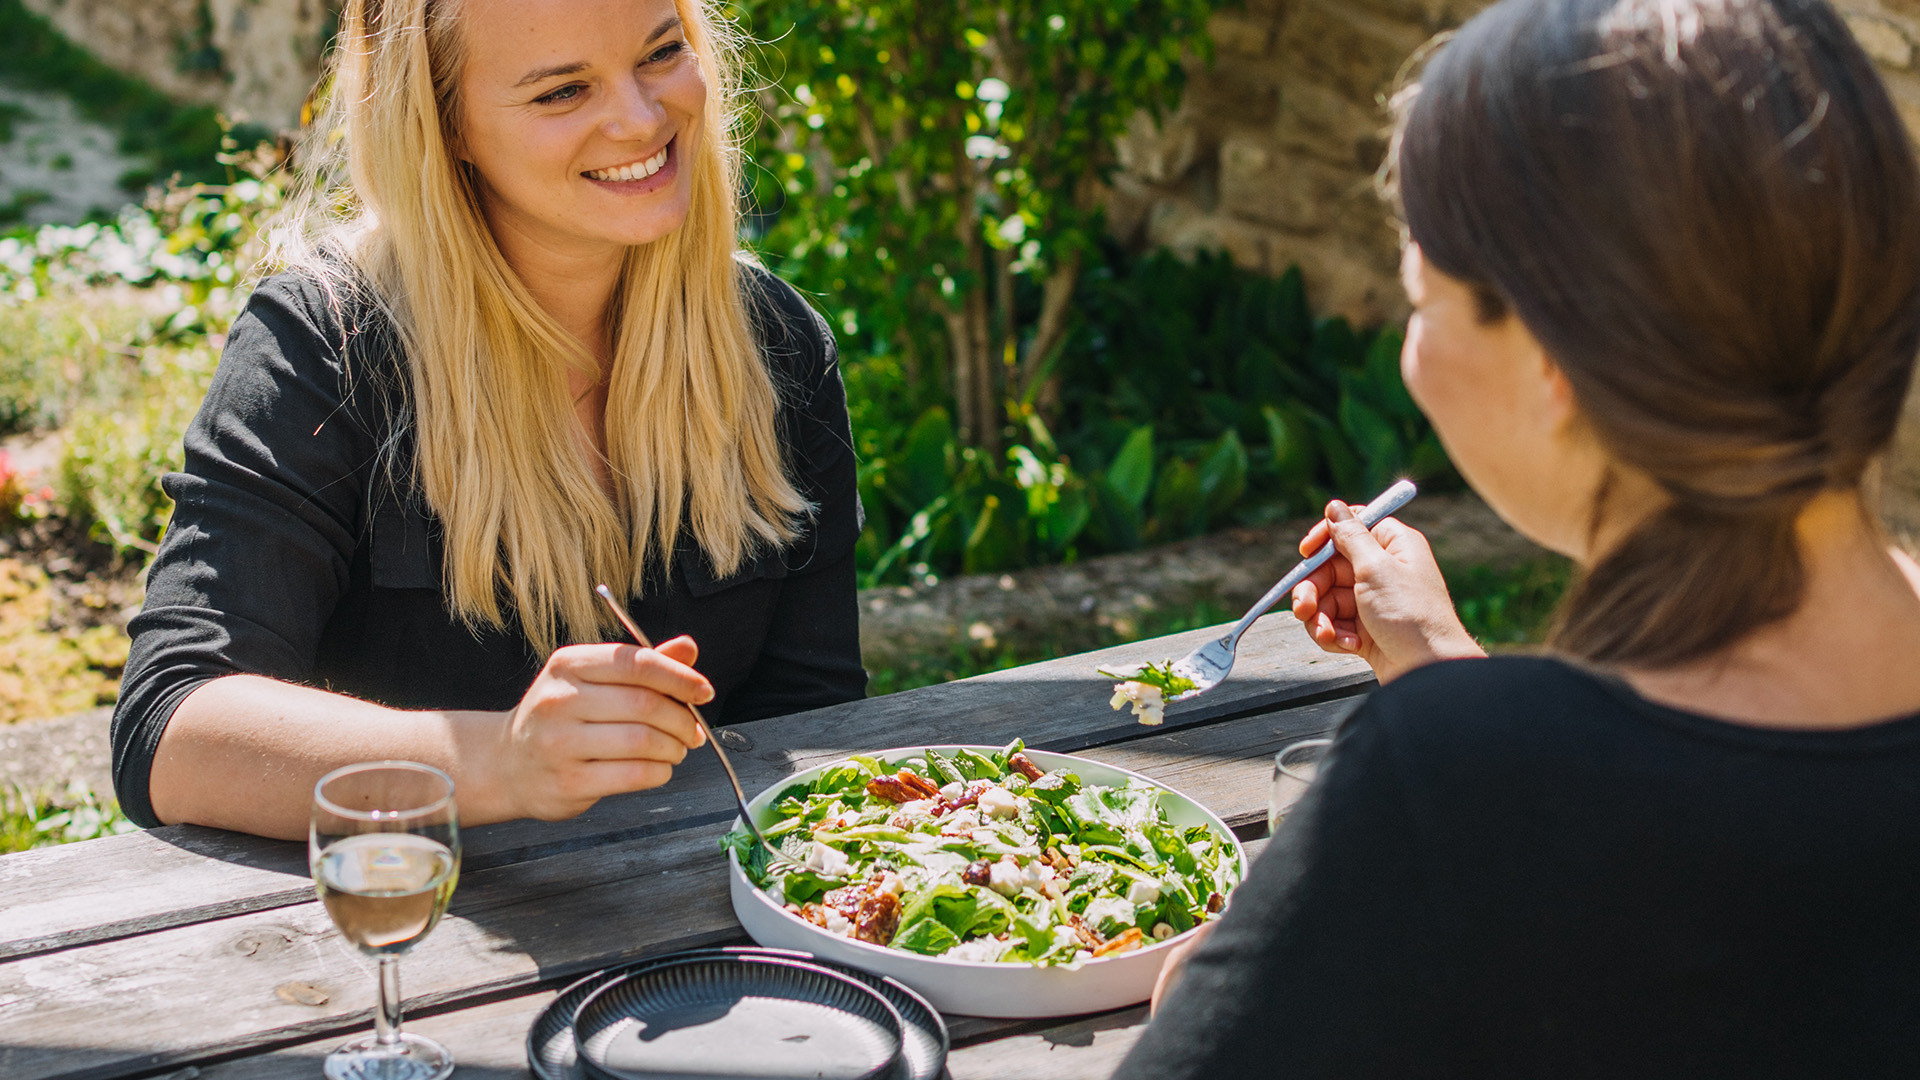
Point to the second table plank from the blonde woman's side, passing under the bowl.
(277, 977)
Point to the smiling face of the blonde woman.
(583, 120)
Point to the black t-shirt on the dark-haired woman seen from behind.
(1514, 868)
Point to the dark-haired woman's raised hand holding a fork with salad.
(1380, 599)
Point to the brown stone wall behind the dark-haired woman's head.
(1274, 149)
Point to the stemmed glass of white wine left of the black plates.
(387, 854)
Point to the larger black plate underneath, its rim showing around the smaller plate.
(550, 1043)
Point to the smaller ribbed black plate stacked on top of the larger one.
(744, 1018)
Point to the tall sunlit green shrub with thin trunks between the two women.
(934, 172)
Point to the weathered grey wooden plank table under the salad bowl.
(203, 954)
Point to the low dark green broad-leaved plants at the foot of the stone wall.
(1191, 397)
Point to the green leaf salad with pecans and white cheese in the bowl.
(988, 858)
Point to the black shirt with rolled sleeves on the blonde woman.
(302, 551)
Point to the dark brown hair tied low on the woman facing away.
(1708, 212)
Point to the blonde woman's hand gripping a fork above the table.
(600, 722)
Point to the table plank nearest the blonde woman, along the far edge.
(174, 877)
